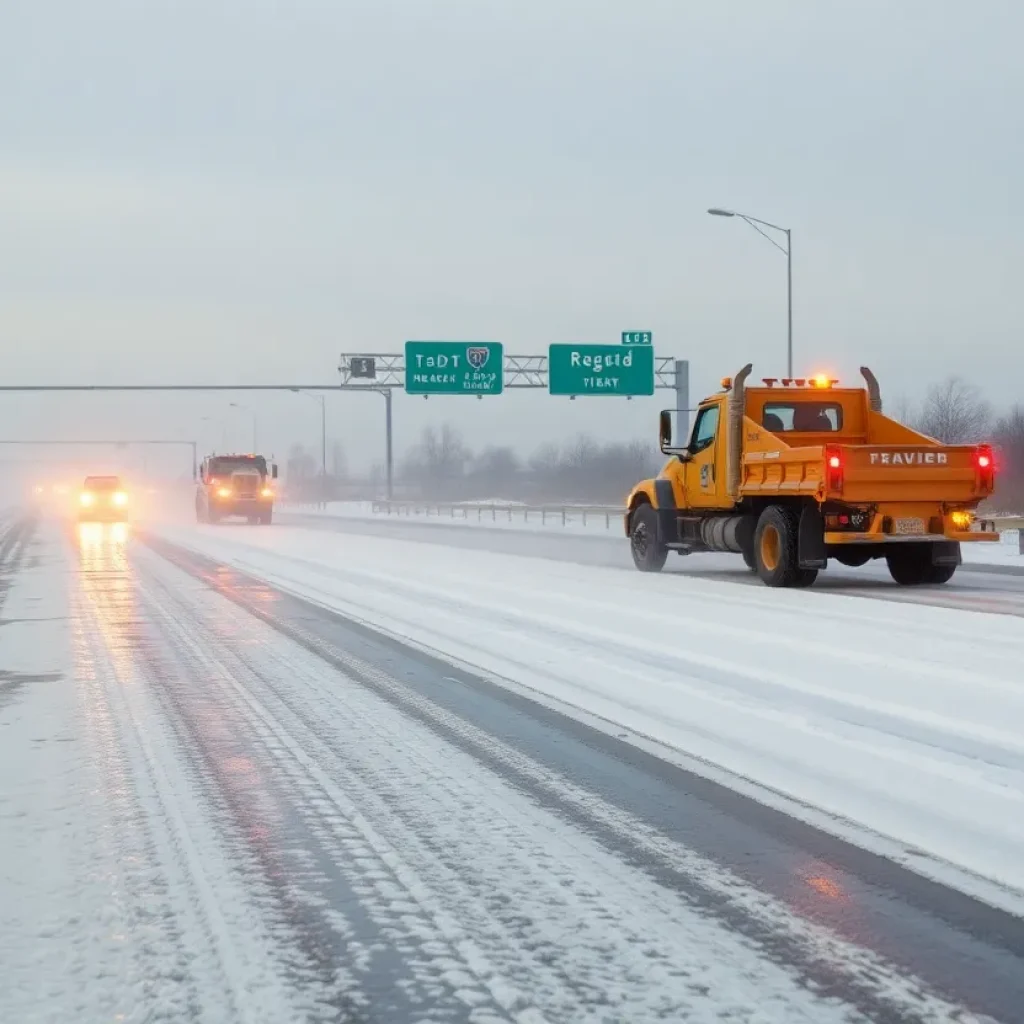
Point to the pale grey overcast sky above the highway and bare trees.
(215, 191)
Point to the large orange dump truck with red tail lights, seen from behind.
(801, 471)
